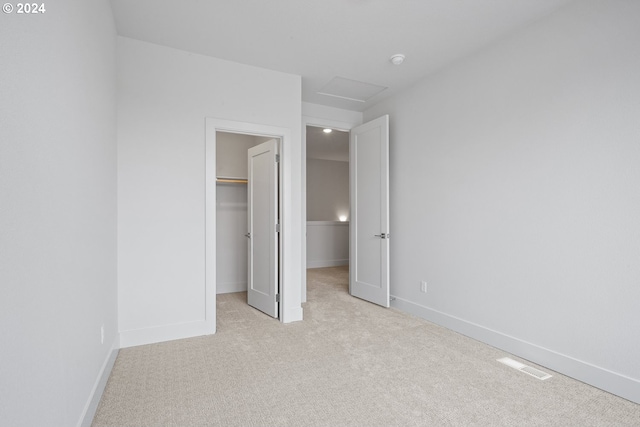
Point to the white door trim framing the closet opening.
(290, 309)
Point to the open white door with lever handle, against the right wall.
(369, 246)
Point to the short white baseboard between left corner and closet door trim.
(164, 333)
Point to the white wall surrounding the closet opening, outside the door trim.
(164, 96)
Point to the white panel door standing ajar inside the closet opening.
(263, 237)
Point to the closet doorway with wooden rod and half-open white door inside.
(247, 212)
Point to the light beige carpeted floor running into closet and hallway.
(349, 363)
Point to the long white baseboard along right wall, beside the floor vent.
(612, 382)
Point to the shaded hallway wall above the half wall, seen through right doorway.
(327, 190)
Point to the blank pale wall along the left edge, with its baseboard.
(57, 212)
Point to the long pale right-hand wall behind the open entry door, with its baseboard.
(514, 193)
